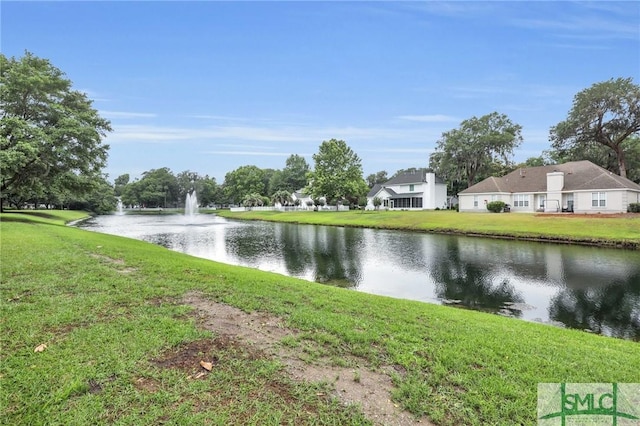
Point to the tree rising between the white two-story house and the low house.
(476, 148)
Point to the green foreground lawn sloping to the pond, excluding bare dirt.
(110, 312)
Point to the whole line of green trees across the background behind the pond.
(53, 152)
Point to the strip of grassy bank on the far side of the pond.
(619, 231)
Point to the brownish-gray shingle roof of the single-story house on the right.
(578, 175)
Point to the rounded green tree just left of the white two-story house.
(338, 173)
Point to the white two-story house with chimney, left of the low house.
(418, 190)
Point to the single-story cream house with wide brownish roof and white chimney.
(577, 186)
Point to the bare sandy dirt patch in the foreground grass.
(261, 334)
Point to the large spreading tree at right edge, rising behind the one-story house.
(606, 114)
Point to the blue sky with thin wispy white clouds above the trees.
(210, 86)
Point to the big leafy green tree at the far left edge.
(47, 129)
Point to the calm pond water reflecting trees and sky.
(587, 288)
